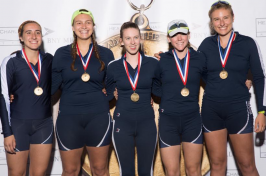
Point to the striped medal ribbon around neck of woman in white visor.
(183, 71)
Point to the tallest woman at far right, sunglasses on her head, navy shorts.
(226, 108)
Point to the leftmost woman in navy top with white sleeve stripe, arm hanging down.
(26, 122)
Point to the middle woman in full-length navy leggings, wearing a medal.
(134, 123)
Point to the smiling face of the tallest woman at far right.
(222, 21)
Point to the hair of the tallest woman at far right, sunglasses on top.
(217, 6)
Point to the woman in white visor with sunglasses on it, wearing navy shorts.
(179, 71)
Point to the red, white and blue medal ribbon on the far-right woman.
(224, 56)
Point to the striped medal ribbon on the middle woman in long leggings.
(133, 81)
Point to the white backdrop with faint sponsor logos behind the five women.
(54, 17)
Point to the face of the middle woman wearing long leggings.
(131, 40)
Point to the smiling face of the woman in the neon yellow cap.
(83, 27)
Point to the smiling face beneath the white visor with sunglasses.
(179, 41)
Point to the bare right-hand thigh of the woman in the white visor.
(192, 154)
